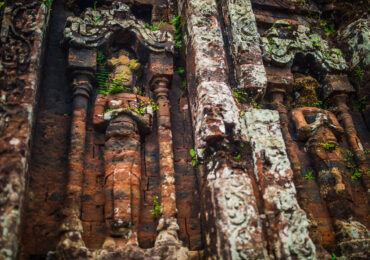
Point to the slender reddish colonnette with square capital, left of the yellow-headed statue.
(81, 64)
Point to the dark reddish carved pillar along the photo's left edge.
(22, 38)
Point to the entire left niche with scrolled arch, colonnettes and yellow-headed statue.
(120, 153)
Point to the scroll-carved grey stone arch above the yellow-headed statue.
(96, 27)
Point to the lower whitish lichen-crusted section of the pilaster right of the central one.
(287, 222)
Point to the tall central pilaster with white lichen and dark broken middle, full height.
(233, 228)
